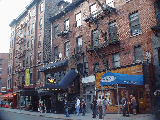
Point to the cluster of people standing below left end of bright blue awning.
(101, 105)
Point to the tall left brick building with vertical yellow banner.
(30, 49)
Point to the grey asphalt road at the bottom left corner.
(4, 115)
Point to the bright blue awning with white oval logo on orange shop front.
(110, 78)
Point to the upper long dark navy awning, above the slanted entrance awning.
(55, 65)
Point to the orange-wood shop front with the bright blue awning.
(114, 84)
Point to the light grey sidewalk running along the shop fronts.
(80, 117)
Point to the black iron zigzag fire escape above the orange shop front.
(93, 19)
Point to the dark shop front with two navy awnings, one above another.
(60, 84)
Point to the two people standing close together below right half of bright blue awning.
(125, 104)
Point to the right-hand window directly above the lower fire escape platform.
(112, 30)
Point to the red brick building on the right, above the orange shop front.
(98, 36)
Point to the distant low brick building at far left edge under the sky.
(3, 72)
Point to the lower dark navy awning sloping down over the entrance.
(65, 82)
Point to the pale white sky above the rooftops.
(9, 10)
